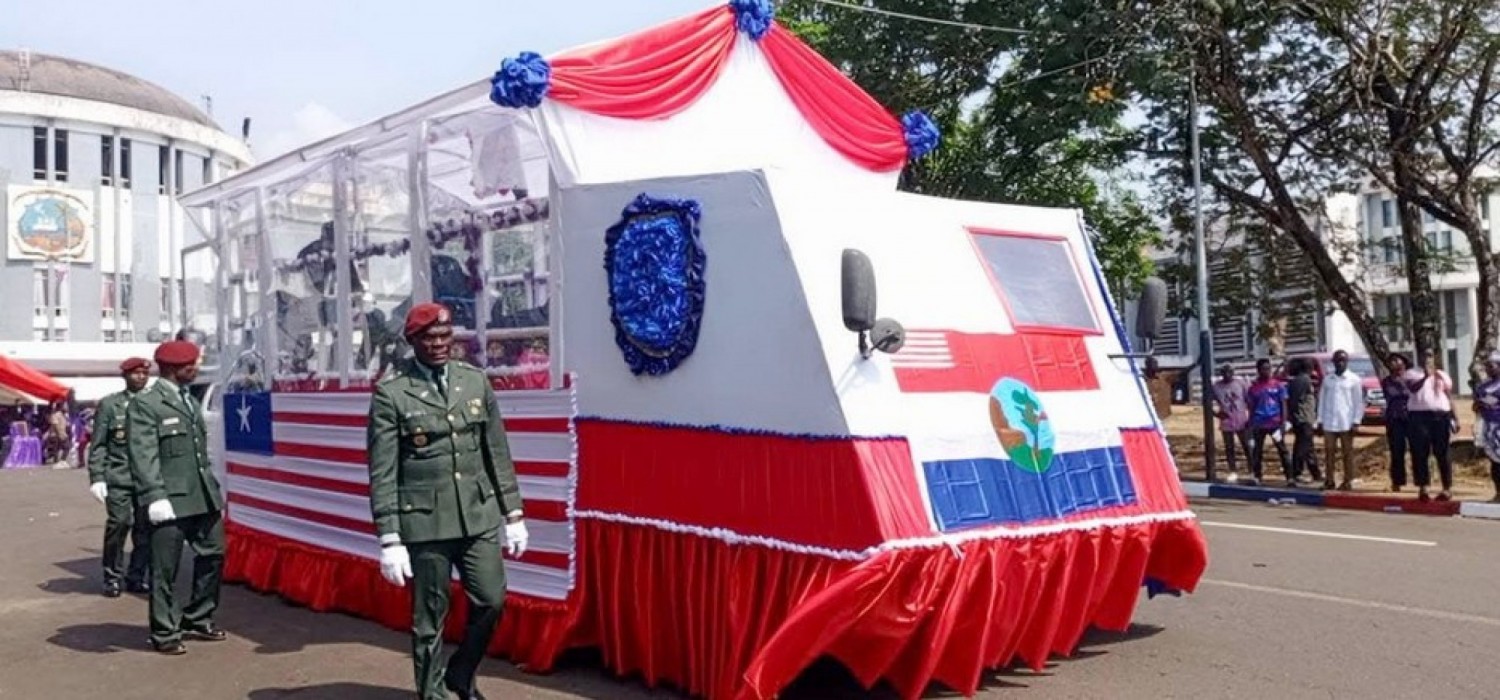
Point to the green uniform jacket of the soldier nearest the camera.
(440, 470)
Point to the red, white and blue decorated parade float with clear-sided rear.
(665, 253)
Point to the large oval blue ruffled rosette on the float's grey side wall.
(655, 260)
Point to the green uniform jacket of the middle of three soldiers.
(170, 452)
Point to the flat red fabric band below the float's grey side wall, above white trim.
(827, 492)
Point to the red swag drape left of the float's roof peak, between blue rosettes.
(650, 76)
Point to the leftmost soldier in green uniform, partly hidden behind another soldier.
(112, 483)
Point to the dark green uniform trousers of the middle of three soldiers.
(205, 534)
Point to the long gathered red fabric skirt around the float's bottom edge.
(742, 623)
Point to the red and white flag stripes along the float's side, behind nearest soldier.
(316, 489)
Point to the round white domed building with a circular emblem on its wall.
(92, 163)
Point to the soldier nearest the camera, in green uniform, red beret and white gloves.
(442, 486)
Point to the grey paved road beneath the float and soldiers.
(1402, 606)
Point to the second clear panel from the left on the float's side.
(299, 227)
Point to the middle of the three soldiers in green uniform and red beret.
(170, 461)
